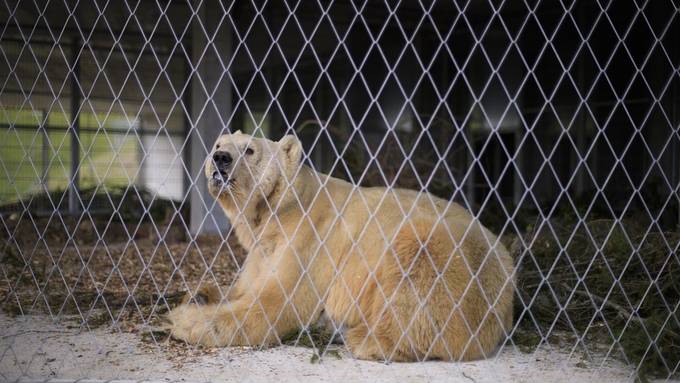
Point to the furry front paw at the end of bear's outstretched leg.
(195, 324)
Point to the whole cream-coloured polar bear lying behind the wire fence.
(408, 276)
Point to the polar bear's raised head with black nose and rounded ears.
(243, 168)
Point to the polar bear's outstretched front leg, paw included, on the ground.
(264, 308)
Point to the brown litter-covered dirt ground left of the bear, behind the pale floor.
(107, 272)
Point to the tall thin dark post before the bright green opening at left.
(73, 200)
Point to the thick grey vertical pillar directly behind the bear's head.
(210, 110)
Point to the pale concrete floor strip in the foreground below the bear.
(33, 347)
